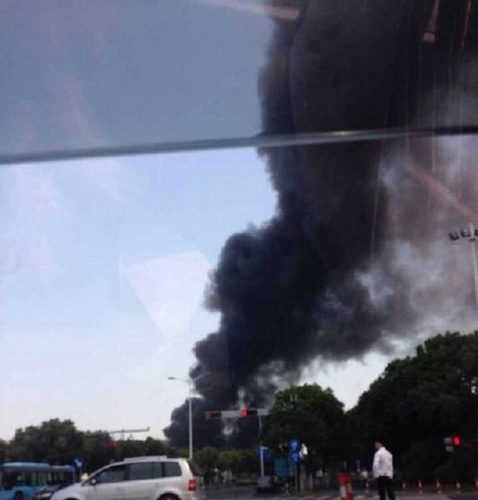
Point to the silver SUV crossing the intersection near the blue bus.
(142, 478)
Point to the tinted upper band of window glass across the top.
(321, 67)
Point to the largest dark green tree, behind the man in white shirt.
(418, 401)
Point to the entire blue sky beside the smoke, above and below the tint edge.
(104, 263)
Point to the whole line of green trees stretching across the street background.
(413, 405)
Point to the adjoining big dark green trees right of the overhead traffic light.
(412, 407)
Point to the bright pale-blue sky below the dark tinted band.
(103, 266)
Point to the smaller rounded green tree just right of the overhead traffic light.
(312, 415)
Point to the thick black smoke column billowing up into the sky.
(290, 292)
